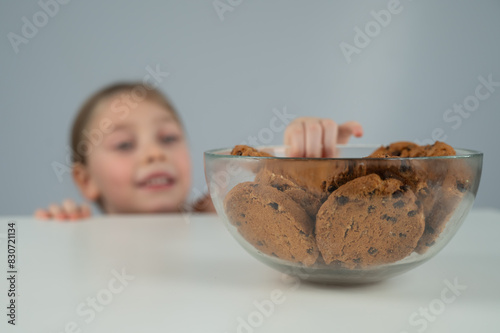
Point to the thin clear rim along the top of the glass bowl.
(464, 153)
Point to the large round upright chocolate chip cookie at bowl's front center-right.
(369, 221)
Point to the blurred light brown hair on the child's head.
(82, 119)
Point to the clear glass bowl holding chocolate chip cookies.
(343, 220)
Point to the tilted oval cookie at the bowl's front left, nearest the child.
(272, 222)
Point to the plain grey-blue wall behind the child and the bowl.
(226, 76)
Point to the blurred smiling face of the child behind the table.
(142, 163)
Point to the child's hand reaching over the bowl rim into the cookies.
(317, 137)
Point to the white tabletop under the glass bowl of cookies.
(190, 275)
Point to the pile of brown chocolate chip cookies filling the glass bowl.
(353, 213)
